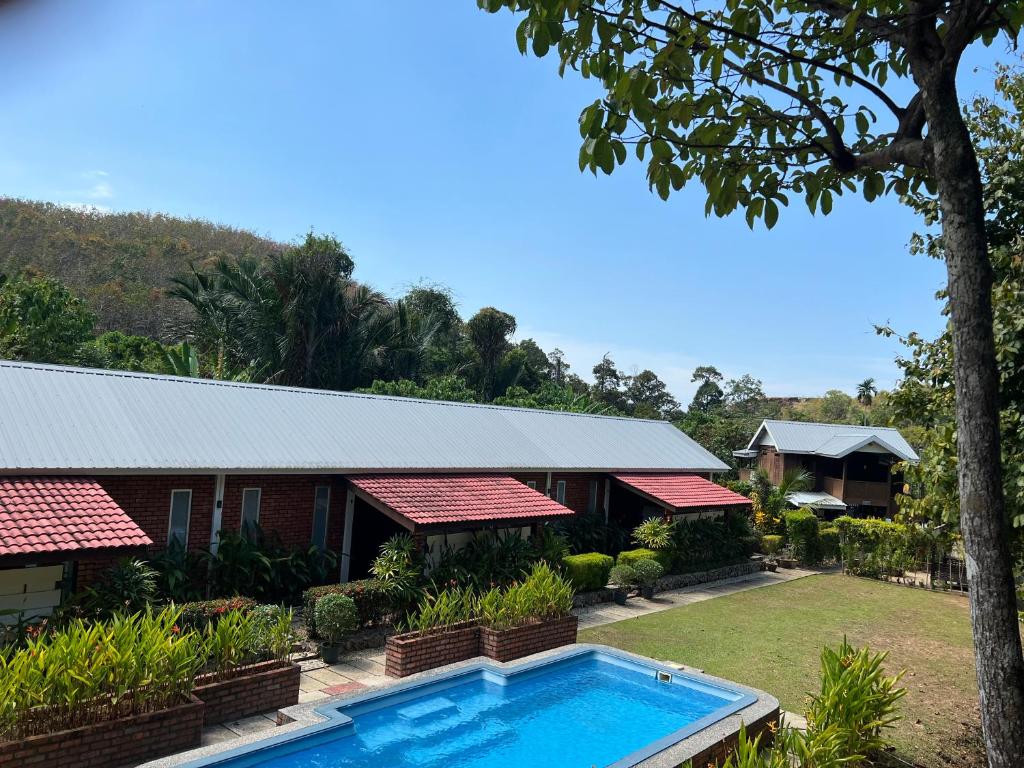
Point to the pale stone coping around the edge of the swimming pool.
(316, 717)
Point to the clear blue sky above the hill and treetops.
(417, 135)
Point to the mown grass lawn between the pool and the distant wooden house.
(772, 638)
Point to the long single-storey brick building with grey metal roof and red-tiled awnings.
(97, 464)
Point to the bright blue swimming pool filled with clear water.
(581, 708)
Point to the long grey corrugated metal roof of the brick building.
(59, 418)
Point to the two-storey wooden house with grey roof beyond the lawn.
(850, 466)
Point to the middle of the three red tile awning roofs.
(446, 499)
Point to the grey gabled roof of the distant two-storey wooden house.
(835, 441)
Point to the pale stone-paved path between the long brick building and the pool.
(365, 669)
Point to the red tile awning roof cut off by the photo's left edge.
(62, 515)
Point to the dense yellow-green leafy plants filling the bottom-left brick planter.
(97, 672)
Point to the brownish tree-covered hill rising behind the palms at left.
(119, 263)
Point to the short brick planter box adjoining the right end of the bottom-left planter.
(250, 691)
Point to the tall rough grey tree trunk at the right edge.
(984, 523)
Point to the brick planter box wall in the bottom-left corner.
(117, 743)
